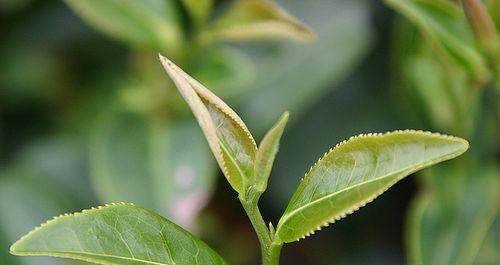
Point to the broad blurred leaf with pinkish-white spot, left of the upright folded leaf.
(164, 166)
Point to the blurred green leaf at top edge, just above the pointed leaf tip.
(149, 23)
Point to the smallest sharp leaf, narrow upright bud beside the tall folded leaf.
(268, 149)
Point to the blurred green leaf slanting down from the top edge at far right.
(445, 24)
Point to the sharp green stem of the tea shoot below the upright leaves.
(270, 250)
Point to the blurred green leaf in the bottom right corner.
(449, 223)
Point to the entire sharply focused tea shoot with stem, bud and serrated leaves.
(347, 177)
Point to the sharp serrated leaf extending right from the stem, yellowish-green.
(358, 170)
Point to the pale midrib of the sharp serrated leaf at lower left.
(83, 255)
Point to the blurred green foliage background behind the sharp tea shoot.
(88, 117)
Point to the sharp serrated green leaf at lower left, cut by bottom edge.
(116, 234)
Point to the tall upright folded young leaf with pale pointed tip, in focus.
(230, 140)
